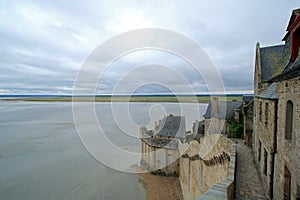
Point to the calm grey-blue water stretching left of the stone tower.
(42, 156)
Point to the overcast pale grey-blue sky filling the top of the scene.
(45, 43)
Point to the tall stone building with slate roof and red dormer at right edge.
(276, 114)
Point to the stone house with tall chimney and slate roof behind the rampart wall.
(220, 113)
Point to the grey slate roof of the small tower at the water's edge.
(172, 126)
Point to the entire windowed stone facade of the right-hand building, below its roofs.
(271, 148)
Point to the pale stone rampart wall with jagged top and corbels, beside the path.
(203, 164)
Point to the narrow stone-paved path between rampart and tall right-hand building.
(248, 182)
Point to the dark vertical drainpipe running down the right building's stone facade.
(274, 151)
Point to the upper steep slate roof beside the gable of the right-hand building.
(272, 61)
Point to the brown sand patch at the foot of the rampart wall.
(160, 187)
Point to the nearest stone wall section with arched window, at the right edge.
(288, 153)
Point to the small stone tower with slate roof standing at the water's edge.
(160, 146)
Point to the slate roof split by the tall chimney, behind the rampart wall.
(226, 109)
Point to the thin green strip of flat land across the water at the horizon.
(139, 98)
